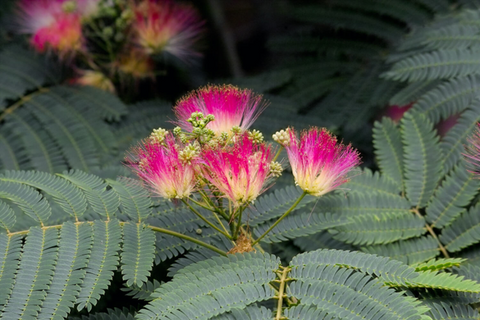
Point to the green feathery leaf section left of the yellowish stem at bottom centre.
(207, 289)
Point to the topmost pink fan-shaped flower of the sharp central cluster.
(229, 105)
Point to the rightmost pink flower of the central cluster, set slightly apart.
(318, 163)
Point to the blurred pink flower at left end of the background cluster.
(54, 25)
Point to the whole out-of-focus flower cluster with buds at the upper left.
(111, 39)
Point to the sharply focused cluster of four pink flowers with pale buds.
(213, 151)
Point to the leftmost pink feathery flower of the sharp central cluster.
(164, 168)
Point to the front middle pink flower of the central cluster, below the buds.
(239, 171)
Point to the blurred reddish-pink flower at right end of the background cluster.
(165, 26)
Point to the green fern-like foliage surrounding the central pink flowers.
(400, 242)
